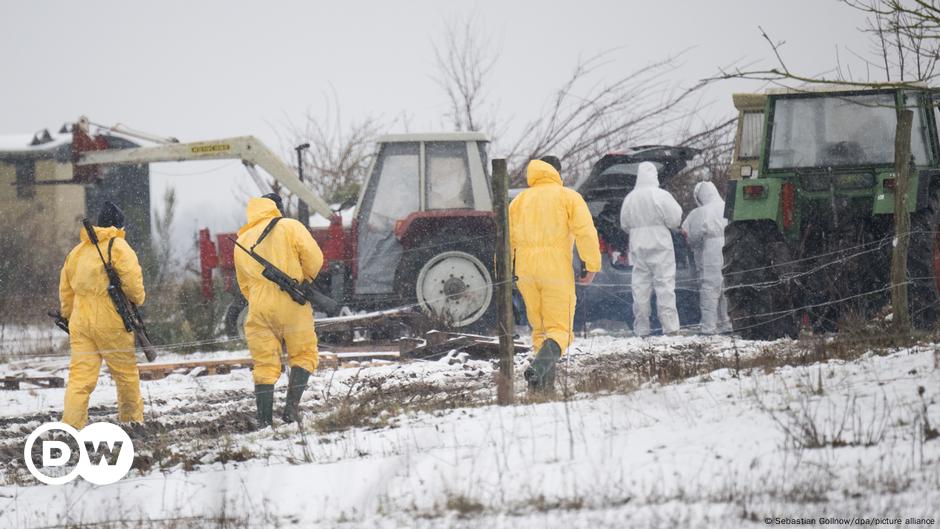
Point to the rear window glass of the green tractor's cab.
(840, 131)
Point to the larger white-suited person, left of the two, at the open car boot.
(647, 215)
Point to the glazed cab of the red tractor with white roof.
(419, 185)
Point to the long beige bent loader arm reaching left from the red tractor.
(246, 148)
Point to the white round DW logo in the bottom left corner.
(104, 453)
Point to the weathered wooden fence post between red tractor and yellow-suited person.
(503, 282)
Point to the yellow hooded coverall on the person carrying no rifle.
(545, 221)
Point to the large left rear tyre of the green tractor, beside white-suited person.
(758, 303)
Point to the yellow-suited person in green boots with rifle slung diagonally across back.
(273, 317)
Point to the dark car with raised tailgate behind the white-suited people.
(609, 297)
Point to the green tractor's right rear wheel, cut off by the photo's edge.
(923, 263)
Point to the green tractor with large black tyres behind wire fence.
(810, 206)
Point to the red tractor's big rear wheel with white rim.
(452, 285)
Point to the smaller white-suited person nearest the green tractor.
(705, 229)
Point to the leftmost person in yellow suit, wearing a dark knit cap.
(96, 331)
